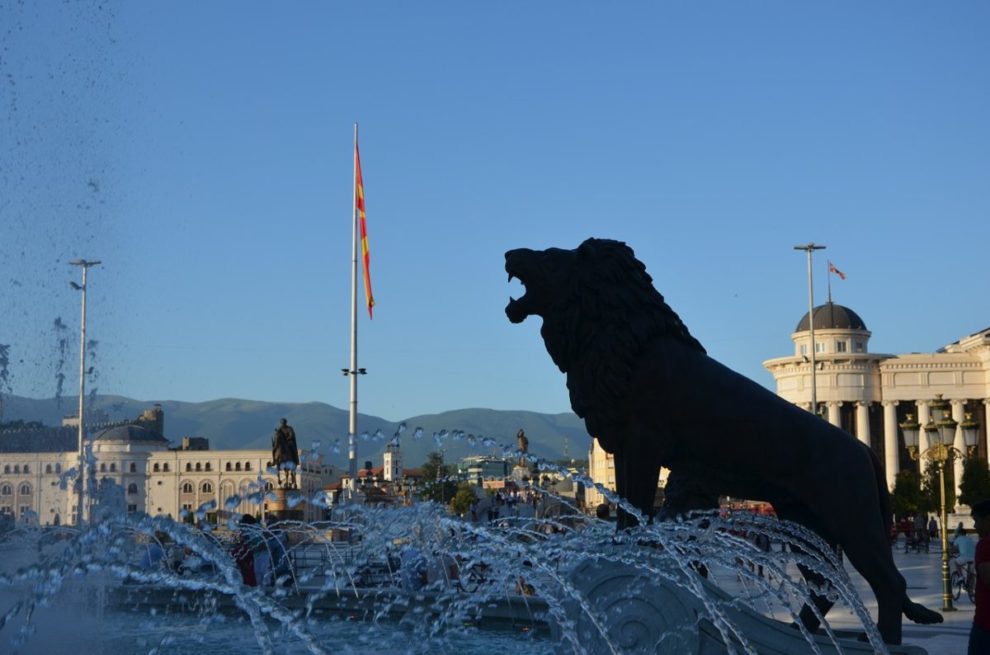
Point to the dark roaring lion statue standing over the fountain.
(651, 395)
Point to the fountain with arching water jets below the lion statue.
(546, 579)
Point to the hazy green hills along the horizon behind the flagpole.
(231, 423)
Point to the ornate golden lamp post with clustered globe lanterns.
(941, 432)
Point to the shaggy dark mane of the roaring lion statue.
(604, 321)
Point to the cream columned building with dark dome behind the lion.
(870, 394)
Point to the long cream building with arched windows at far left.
(136, 470)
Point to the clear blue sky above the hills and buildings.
(202, 150)
